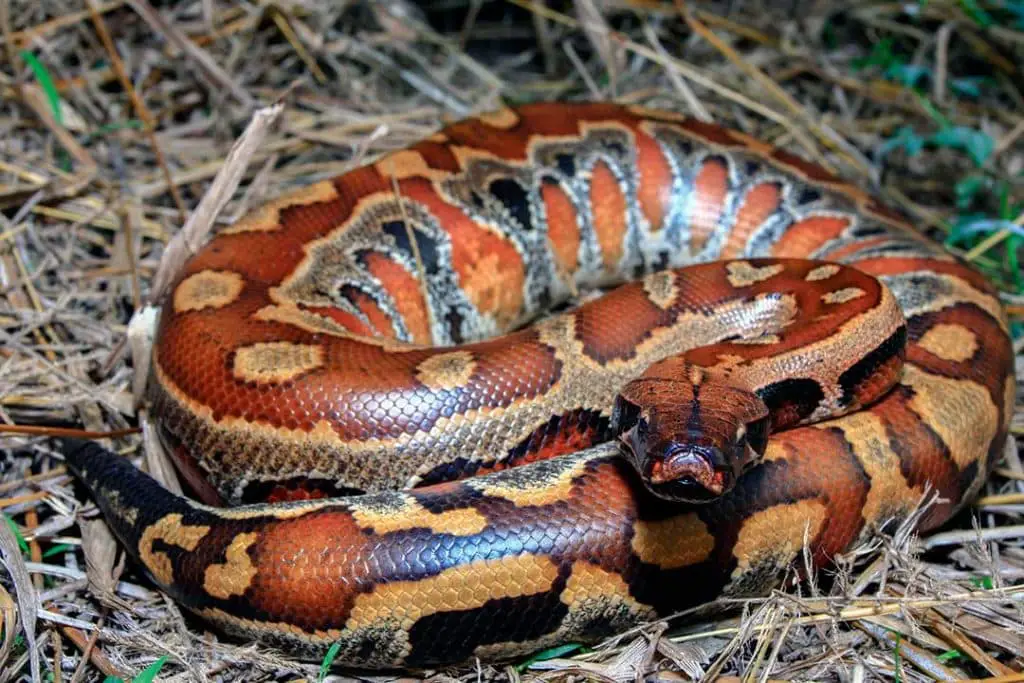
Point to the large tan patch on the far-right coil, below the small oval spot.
(961, 412)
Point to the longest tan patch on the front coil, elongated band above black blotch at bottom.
(461, 588)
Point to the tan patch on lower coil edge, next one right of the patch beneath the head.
(776, 537)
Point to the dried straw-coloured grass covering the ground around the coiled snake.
(151, 103)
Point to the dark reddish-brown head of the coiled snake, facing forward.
(690, 436)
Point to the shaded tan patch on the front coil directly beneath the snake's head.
(673, 543)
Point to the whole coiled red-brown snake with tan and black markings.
(377, 332)
